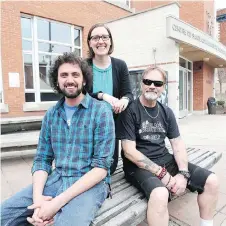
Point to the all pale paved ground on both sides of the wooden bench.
(207, 131)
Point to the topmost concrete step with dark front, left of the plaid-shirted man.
(12, 125)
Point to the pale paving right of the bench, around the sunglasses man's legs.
(209, 132)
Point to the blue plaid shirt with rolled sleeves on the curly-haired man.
(87, 143)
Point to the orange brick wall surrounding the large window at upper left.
(83, 14)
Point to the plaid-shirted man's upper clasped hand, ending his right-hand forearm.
(47, 209)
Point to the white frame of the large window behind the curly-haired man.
(34, 52)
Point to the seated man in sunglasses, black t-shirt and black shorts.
(148, 165)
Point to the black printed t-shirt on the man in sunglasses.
(149, 132)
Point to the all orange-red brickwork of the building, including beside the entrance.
(84, 14)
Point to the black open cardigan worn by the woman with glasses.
(121, 80)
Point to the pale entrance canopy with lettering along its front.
(194, 44)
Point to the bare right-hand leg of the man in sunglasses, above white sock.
(208, 199)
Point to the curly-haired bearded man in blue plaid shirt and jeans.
(78, 134)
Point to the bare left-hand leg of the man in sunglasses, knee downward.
(157, 212)
